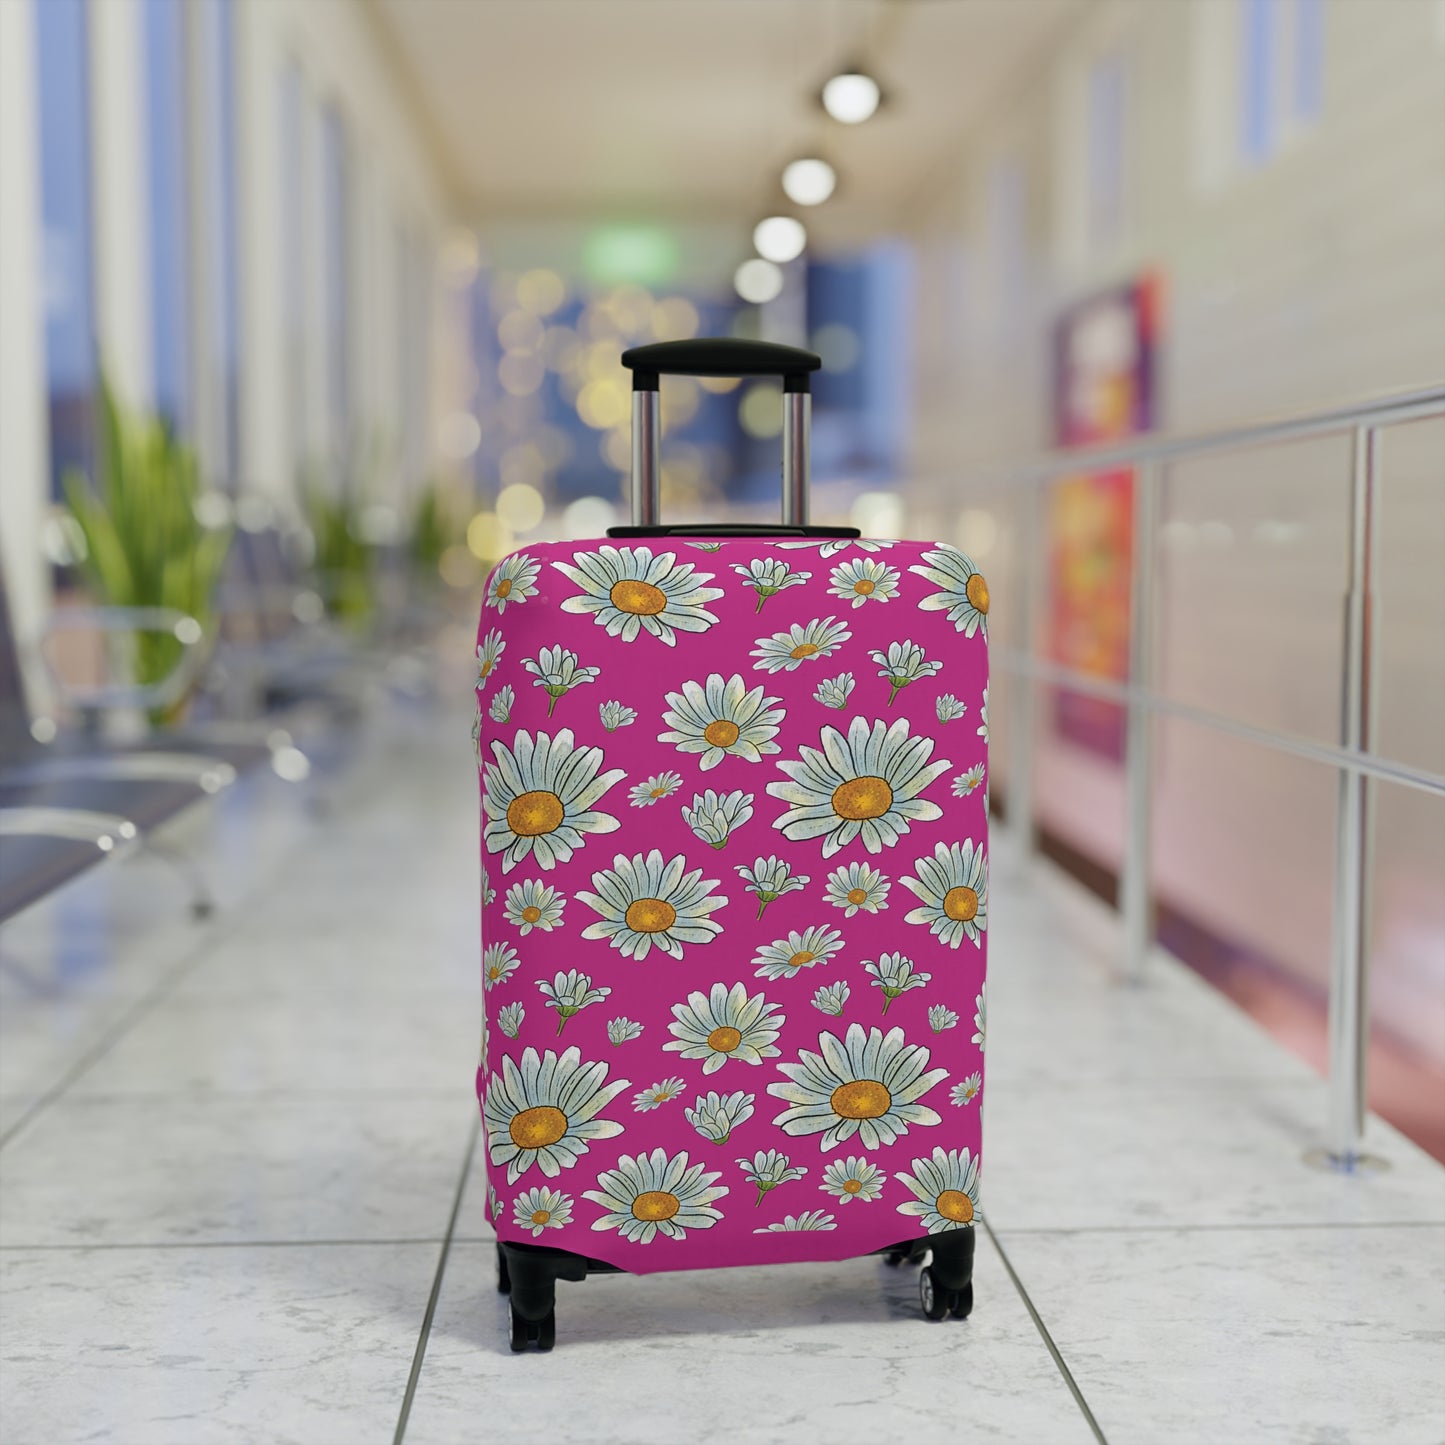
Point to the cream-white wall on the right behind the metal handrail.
(1311, 278)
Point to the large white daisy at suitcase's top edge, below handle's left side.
(629, 590)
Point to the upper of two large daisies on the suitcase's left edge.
(541, 798)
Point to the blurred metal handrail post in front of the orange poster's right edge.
(1135, 881)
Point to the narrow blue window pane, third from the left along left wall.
(223, 332)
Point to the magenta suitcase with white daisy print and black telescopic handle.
(735, 888)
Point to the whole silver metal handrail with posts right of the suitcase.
(1359, 768)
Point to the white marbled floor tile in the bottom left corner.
(209, 1346)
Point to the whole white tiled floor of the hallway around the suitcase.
(241, 1191)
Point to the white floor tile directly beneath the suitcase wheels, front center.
(836, 1353)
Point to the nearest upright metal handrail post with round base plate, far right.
(1349, 996)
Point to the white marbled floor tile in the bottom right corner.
(1256, 1337)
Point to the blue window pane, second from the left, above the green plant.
(167, 126)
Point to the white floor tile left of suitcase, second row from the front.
(167, 1170)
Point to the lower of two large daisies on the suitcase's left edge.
(544, 1112)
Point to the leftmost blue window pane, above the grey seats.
(66, 212)
